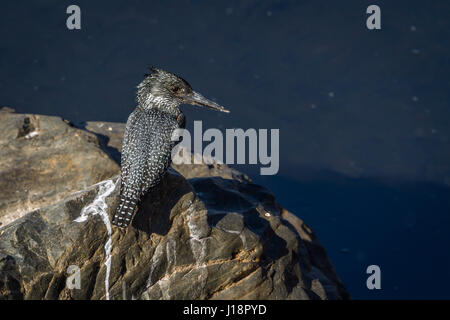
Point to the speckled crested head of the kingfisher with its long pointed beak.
(166, 90)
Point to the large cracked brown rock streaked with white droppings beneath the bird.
(206, 232)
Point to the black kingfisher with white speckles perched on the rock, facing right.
(147, 142)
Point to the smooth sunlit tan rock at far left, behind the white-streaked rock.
(43, 160)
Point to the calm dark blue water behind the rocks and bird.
(364, 115)
